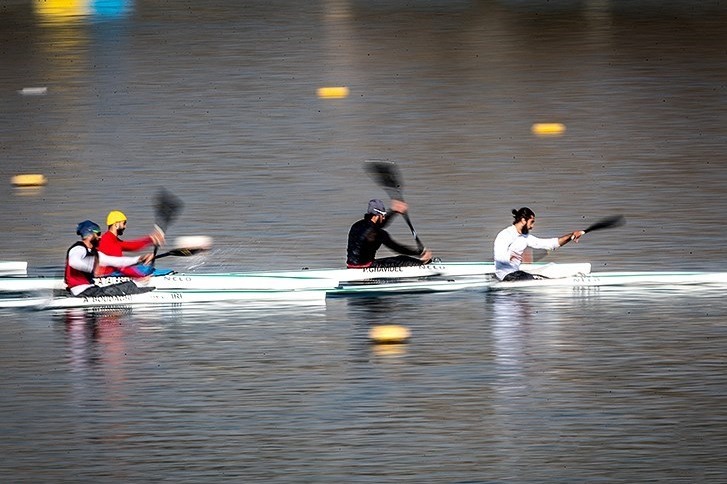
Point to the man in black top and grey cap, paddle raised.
(367, 235)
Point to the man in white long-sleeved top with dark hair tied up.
(512, 241)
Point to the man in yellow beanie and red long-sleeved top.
(111, 244)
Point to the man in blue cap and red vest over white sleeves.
(83, 258)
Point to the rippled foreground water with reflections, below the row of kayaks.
(499, 380)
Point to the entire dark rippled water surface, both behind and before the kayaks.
(217, 103)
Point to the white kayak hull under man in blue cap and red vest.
(169, 298)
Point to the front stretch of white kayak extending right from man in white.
(617, 279)
